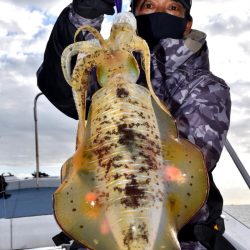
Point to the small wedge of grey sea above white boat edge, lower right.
(240, 212)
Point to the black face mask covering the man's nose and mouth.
(156, 26)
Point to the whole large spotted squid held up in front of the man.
(132, 182)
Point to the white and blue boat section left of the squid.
(26, 216)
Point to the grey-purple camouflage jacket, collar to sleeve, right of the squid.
(198, 100)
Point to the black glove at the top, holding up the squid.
(93, 8)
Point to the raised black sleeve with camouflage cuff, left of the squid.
(50, 78)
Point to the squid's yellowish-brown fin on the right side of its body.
(184, 171)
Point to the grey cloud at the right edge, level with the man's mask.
(219, 25)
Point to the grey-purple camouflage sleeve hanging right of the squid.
(204, 116)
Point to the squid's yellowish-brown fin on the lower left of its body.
(82, 218)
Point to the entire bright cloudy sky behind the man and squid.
(25, 26)
